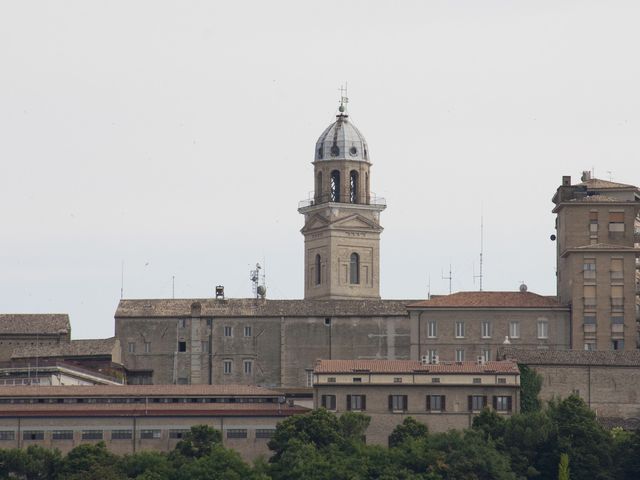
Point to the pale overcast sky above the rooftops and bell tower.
(178, 137)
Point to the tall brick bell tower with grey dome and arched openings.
(342, 218)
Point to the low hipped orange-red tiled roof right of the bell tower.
(490, 300)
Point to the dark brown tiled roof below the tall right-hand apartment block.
(630, 358)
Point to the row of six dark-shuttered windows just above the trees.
(433, 403)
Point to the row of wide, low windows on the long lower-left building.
(125, 434)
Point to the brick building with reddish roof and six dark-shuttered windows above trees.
(442, 395)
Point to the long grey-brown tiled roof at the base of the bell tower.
(251, 307)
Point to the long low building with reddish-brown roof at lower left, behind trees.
(144, 417)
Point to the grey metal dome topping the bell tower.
(342, 141)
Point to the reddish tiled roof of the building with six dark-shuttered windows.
(411, 366)
